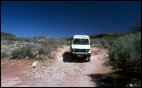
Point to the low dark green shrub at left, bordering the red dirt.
(22, 52)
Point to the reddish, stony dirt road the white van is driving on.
(60, 72)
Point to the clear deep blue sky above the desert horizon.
(65, 18)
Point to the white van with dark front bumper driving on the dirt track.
(80, 46)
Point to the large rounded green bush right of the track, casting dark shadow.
(125, 54)
